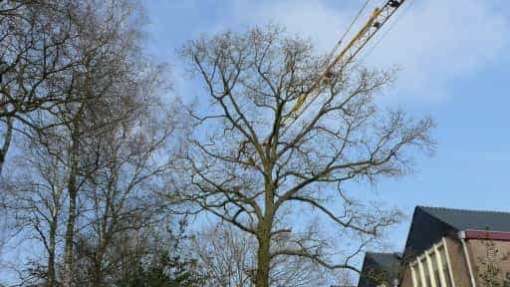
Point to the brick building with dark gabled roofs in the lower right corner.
(446, 248)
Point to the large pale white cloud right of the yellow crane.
(440, 41)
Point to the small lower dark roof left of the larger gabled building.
(378, 268)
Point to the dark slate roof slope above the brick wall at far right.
(461, 219)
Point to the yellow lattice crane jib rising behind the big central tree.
(377, 19)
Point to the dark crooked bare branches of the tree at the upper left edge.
(36, 57)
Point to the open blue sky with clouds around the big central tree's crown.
(453, 63)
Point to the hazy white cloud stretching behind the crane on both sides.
(434, 42)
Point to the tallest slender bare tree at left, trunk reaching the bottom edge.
(110, 84)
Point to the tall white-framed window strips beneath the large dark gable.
(432, 268)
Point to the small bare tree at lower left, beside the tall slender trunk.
(36, 201)
